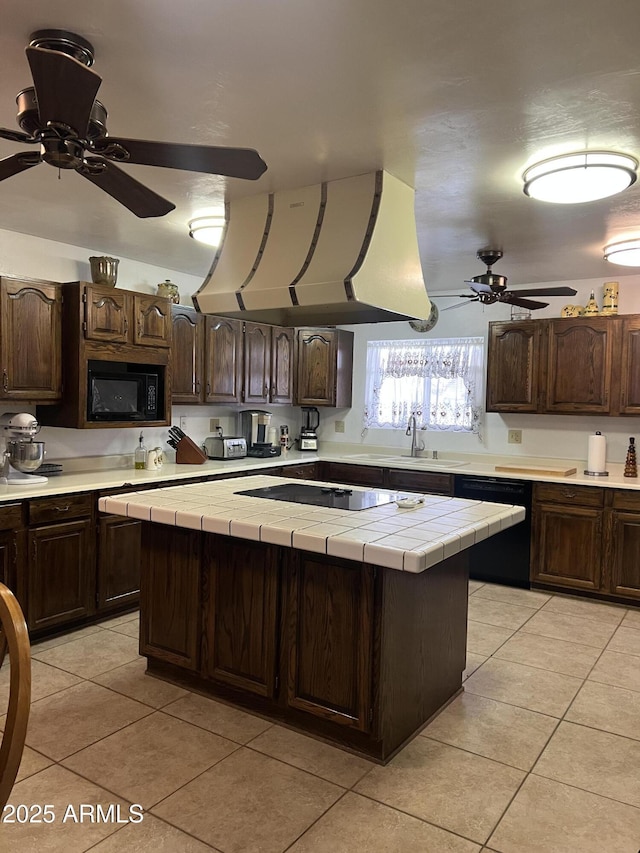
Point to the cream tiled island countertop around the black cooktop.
(410, 540)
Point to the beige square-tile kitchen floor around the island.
(540, 754)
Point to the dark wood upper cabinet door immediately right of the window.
(513, 365)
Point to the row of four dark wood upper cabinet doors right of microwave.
(221, 360)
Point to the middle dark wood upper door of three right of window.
(579, 365)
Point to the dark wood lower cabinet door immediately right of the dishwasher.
(566, 544)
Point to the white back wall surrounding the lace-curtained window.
(555, 436)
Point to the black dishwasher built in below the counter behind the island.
(503, 558)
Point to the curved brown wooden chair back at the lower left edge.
(14, 638)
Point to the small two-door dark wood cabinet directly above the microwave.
(121, 316)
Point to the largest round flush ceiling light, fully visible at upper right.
(583, 176)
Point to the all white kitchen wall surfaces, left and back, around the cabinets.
(556, 436)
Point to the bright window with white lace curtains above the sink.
(438, 381)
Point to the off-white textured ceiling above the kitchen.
(455, 97)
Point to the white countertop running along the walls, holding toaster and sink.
(96, 474)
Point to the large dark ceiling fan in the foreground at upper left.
(61, 114)
